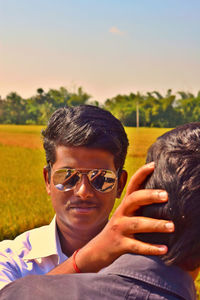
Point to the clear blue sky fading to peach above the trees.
(106, 46)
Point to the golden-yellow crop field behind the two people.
(24, 203)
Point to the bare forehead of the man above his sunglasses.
(83, 157)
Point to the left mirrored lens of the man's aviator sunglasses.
(65, 179)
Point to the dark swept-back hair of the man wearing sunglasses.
(87, 126)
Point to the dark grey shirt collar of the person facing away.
(153, 270)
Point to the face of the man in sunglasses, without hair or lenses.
(83, 207)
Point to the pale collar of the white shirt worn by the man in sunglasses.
(44, 241)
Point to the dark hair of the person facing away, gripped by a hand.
(177, 170)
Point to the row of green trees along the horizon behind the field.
(146, 110)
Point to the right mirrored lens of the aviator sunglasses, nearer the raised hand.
(102, 180)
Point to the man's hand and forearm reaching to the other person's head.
(117, 237)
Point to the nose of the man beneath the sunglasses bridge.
(84, 189)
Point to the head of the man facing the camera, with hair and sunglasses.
(85, 147)
